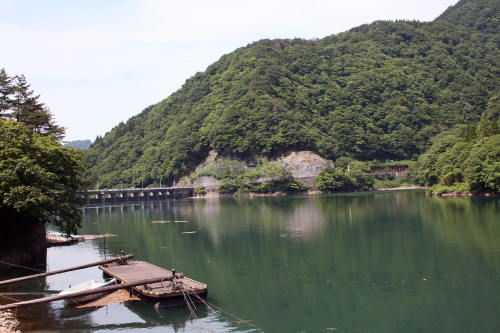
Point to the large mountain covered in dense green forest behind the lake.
(379, 91)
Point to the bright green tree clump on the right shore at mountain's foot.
(463, 161)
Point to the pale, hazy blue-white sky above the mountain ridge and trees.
(98, 62)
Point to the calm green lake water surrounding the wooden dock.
(396, 261)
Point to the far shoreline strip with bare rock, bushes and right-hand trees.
(442, 172)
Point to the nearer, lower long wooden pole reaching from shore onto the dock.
(85, 293)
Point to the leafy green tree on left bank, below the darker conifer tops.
(40, 182)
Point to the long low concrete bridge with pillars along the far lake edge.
(102, 197)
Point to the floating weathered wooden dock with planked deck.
(173, 290)
